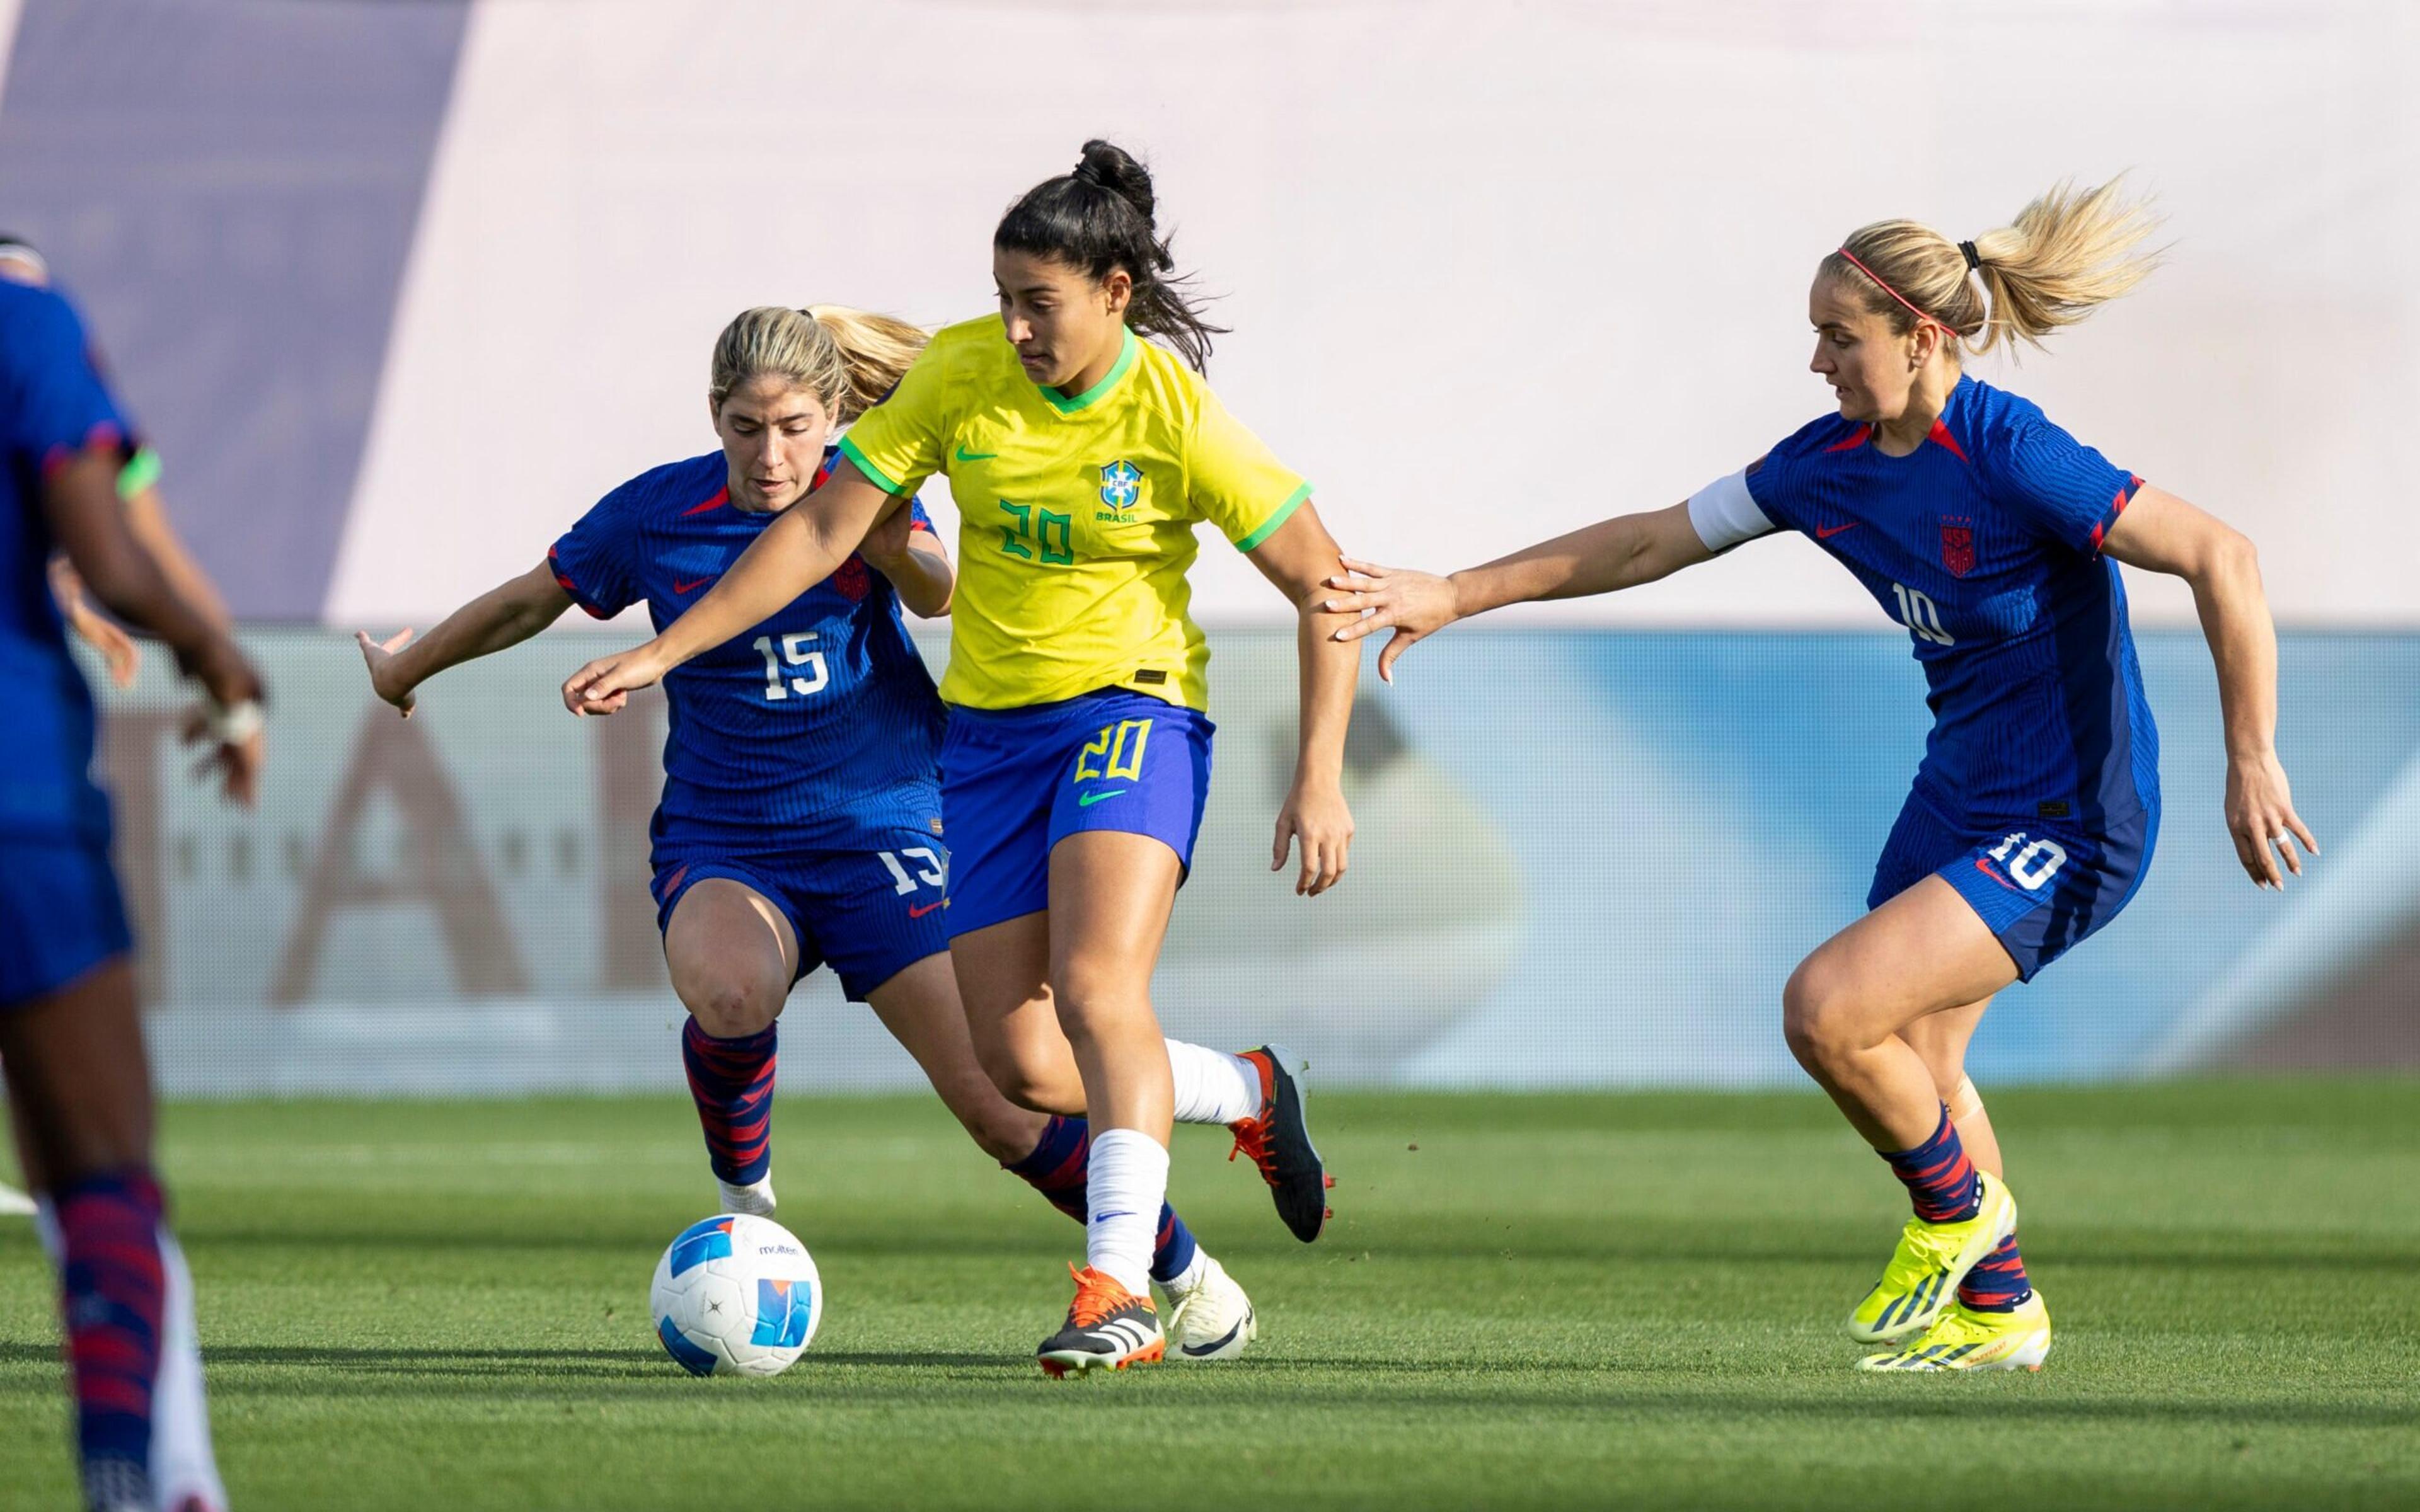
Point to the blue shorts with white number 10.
(2041, 887)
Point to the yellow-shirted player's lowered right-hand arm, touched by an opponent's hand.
(1296, 558)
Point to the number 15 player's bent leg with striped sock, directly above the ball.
(732, 957)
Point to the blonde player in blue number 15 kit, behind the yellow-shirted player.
(802, 812)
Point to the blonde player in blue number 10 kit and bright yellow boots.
(1988, 533)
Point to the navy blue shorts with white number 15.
(868, 913)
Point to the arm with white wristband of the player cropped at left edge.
(81, 504)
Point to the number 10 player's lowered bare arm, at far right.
(2167, 536)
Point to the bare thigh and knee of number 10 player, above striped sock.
(1920, 954)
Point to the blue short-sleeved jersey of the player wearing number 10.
(1986, 543)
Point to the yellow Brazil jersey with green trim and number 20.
(1076, 514)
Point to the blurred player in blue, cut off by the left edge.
(71, 1039)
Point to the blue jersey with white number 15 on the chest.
(807, 732)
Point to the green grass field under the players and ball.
(1523, 1303)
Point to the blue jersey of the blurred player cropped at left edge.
(52, 408)
